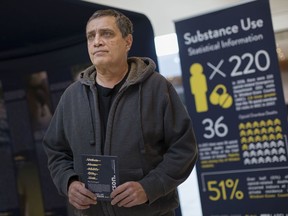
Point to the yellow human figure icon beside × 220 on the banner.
(198, 85)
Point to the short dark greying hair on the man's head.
(123, 22)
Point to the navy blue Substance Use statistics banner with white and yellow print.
(233, 92)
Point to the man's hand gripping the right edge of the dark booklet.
(129, 194)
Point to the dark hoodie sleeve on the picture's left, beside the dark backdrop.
(60, 159)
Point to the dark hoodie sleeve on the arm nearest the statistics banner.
(181, 150)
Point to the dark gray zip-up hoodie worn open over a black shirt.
(148, 129)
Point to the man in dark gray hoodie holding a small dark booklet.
(121, 107)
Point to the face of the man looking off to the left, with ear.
(106, 46)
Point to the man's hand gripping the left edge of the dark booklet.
(79, 196)
